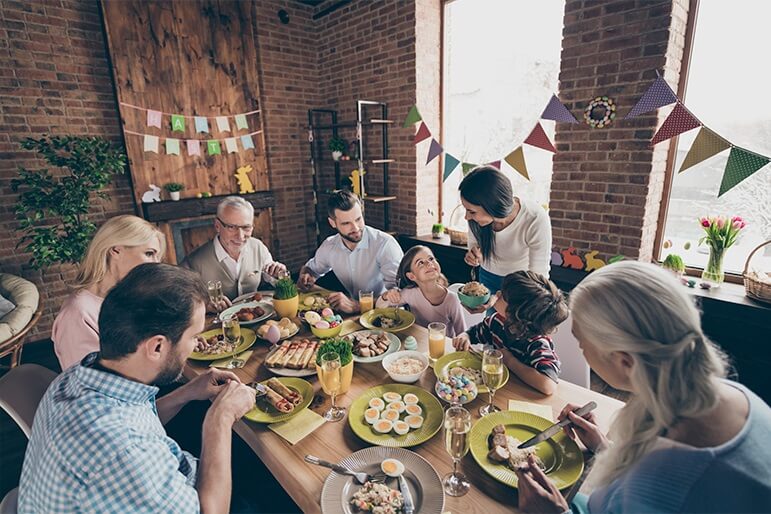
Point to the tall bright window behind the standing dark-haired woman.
(501, 66)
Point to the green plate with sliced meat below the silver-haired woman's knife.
(561, 456)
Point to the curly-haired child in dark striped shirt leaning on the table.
(529, 307)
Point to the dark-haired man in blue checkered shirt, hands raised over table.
(98, 443)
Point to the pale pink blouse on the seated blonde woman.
(76, 328)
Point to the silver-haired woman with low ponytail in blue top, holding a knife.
(688, 440)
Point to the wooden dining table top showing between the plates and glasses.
(334, 441)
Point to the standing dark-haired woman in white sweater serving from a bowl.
(508, 233)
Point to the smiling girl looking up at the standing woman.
(423, 288)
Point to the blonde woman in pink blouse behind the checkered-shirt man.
(120, 245)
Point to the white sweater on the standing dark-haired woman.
(524, 245)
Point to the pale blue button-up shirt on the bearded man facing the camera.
(371, 266)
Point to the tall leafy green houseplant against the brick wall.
(52, 208)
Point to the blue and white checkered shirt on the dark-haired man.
(97, 445)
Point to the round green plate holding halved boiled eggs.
(433, 416)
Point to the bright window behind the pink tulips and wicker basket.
(728, 78)
